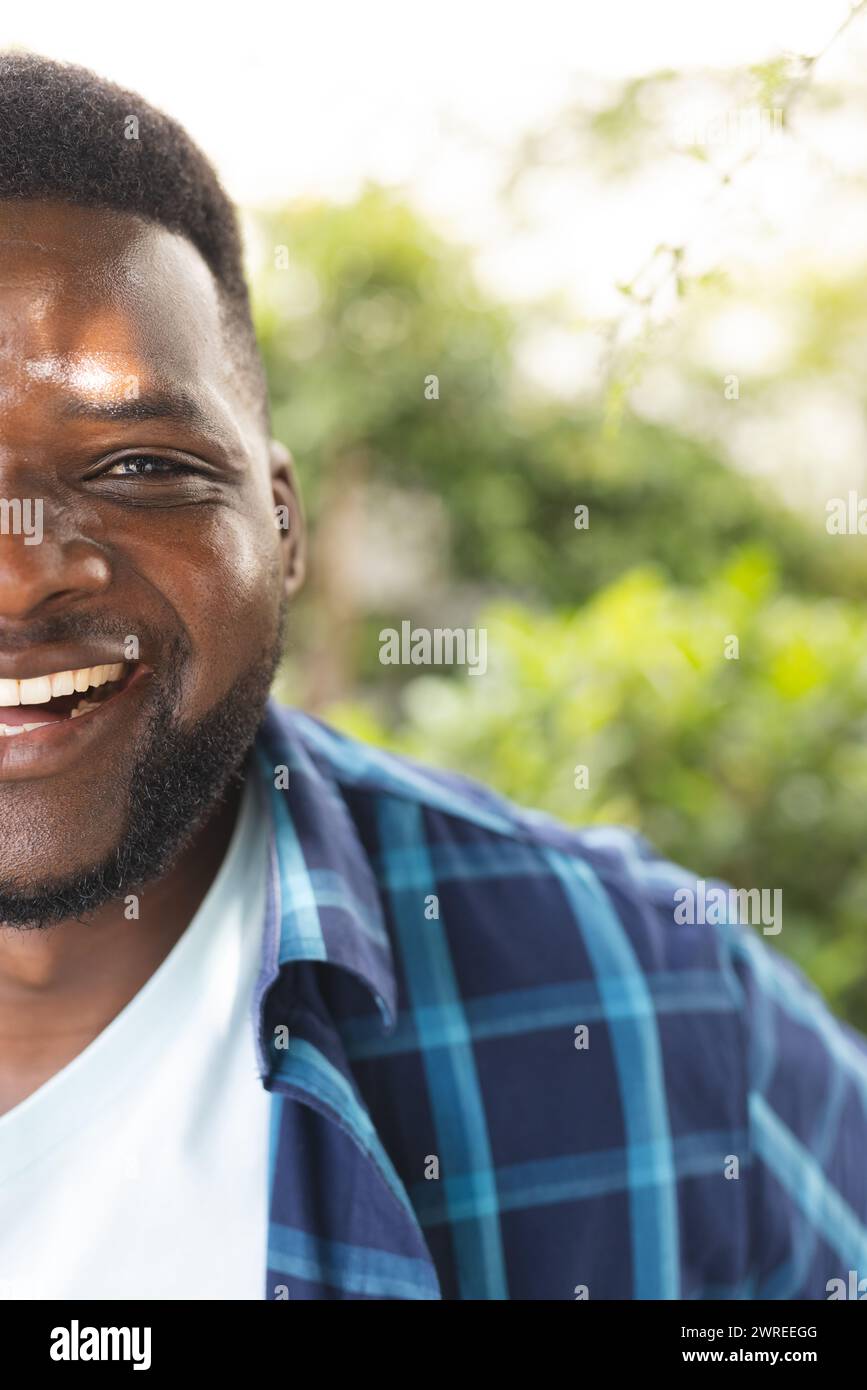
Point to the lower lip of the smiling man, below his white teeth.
(44, 753)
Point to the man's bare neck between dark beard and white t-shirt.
(62, 986)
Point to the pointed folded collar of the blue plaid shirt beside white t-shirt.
(323, 900)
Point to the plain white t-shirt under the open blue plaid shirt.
(141, 1170)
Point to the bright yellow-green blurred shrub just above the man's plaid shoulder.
(752, 769)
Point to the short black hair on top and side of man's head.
(69, 136)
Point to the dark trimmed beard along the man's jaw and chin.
(179, 780)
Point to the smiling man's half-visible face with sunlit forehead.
(127, 434)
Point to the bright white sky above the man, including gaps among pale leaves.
(292, 101)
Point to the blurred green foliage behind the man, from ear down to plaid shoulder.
(606, 646)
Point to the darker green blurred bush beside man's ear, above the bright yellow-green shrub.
(372, 305)
